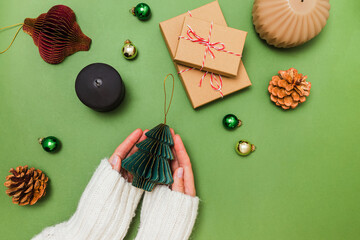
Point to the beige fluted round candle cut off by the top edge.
(289, 23)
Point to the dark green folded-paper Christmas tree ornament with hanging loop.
(150, 164)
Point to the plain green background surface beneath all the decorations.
(303, 181)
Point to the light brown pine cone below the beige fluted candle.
(289, 88)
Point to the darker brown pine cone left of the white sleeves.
(26, 186)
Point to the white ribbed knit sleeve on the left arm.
(105, 210)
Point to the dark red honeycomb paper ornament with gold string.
(56, 33)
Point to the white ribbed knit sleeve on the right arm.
(166, 215)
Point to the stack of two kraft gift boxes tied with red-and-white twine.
(206, 53)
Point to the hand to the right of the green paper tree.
(181, 167)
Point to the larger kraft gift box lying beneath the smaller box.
(200, 96)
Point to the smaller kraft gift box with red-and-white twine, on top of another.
(210, 47)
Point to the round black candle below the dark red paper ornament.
(100, 87)
